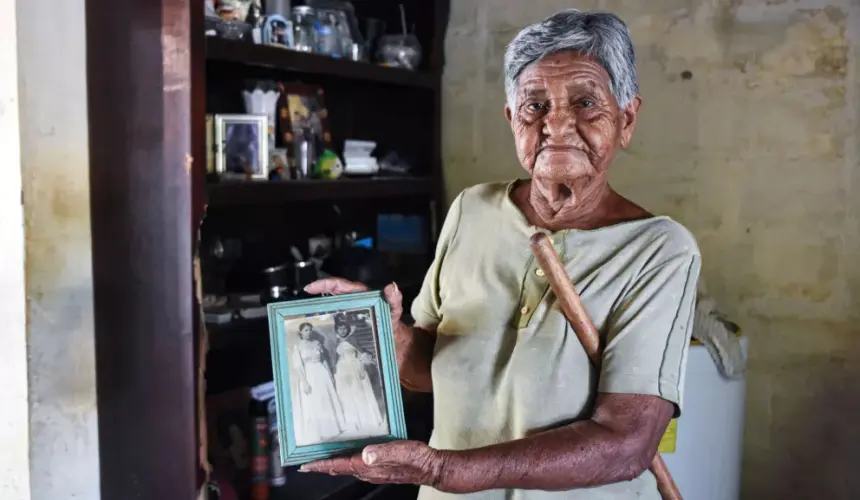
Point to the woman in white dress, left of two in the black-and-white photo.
(317, 412)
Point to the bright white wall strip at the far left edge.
(14, 470)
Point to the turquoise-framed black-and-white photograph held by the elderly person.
(336, 382)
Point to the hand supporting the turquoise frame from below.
(399, 462)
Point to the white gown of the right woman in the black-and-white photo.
(360, 405)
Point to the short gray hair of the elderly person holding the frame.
(601, 35)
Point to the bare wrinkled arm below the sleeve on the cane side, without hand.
(616, 444)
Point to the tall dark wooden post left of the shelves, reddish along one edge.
(139, 73)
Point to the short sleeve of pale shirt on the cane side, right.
(648, 334)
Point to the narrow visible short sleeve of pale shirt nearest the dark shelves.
(425, 307)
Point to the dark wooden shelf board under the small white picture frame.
(279, 192)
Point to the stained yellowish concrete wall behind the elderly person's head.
(757, 154)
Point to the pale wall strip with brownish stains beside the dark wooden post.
(55, 174)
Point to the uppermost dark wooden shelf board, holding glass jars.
(219, 49)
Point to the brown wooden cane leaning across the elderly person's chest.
(577, 316)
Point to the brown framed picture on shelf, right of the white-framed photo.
(303, 116)
